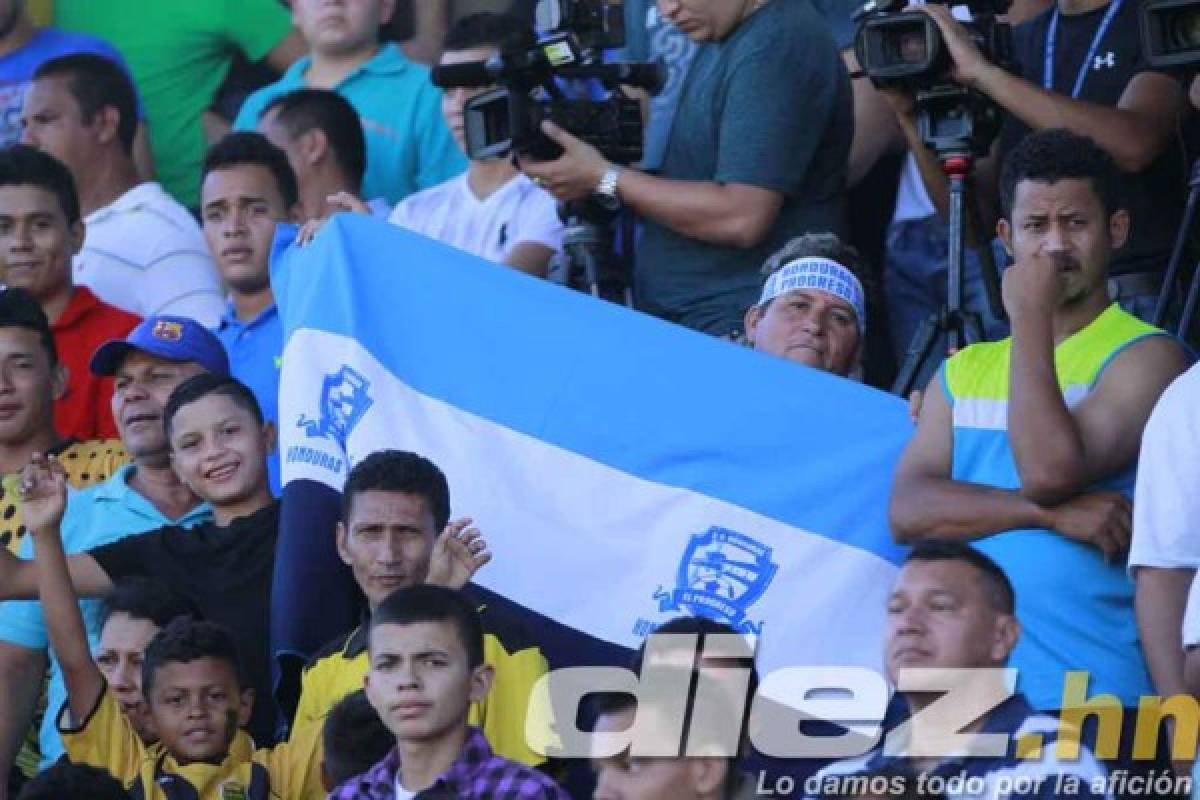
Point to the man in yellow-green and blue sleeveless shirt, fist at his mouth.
(1028, 447)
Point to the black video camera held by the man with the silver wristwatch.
(563, 79)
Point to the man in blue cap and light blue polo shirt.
(155, 358)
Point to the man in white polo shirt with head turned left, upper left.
(143, 252)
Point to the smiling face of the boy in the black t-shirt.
(219, 450)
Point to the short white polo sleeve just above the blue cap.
(183, 282)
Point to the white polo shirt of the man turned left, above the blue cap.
(146, 254)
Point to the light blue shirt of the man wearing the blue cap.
(95, 516)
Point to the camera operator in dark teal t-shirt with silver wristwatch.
(757, 155)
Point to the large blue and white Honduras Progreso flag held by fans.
(623, 470)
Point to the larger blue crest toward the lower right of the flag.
(722, 575)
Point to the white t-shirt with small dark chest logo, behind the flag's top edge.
(514, 214)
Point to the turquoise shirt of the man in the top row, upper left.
(410, 147)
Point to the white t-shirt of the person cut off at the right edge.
(1167, 501)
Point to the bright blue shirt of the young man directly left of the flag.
(256, 354)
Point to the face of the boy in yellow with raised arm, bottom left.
(197, 708)
